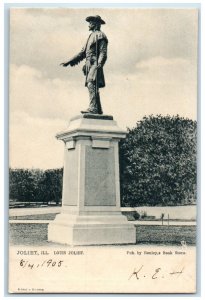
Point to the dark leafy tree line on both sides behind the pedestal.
(158, 165)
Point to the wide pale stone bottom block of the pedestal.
(91, 230)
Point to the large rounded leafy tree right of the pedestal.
(158, 162)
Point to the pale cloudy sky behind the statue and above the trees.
(151, 69)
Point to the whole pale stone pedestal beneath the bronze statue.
(91, 193)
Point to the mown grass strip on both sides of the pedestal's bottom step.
(36, 234)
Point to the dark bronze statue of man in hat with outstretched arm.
(95, 53)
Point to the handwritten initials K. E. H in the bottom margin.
(157, 273)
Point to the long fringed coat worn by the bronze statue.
(95, 52)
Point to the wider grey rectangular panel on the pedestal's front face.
(100, 177)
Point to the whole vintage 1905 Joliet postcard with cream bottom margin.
(102, 150)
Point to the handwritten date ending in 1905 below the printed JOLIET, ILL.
(49, 263)
